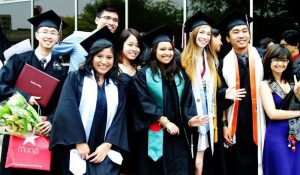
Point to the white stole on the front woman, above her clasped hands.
(88, 102)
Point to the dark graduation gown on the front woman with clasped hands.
(68, 129)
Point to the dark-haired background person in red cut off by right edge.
(290, 40)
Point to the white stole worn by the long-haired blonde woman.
(197, 86)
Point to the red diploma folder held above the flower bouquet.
(36, 83)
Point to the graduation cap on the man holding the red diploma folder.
(47, 19)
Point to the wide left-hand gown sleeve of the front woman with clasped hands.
(67, 126)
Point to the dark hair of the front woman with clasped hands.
(87, 66)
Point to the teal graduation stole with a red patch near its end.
(155, 132)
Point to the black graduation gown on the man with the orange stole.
(241, 158)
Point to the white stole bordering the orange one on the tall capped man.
(230, 78)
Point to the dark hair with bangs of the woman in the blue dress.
(280, 52)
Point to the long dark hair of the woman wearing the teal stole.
(168, 71)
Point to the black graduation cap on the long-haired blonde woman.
(198, 19)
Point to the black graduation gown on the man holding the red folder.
(9, 73)
